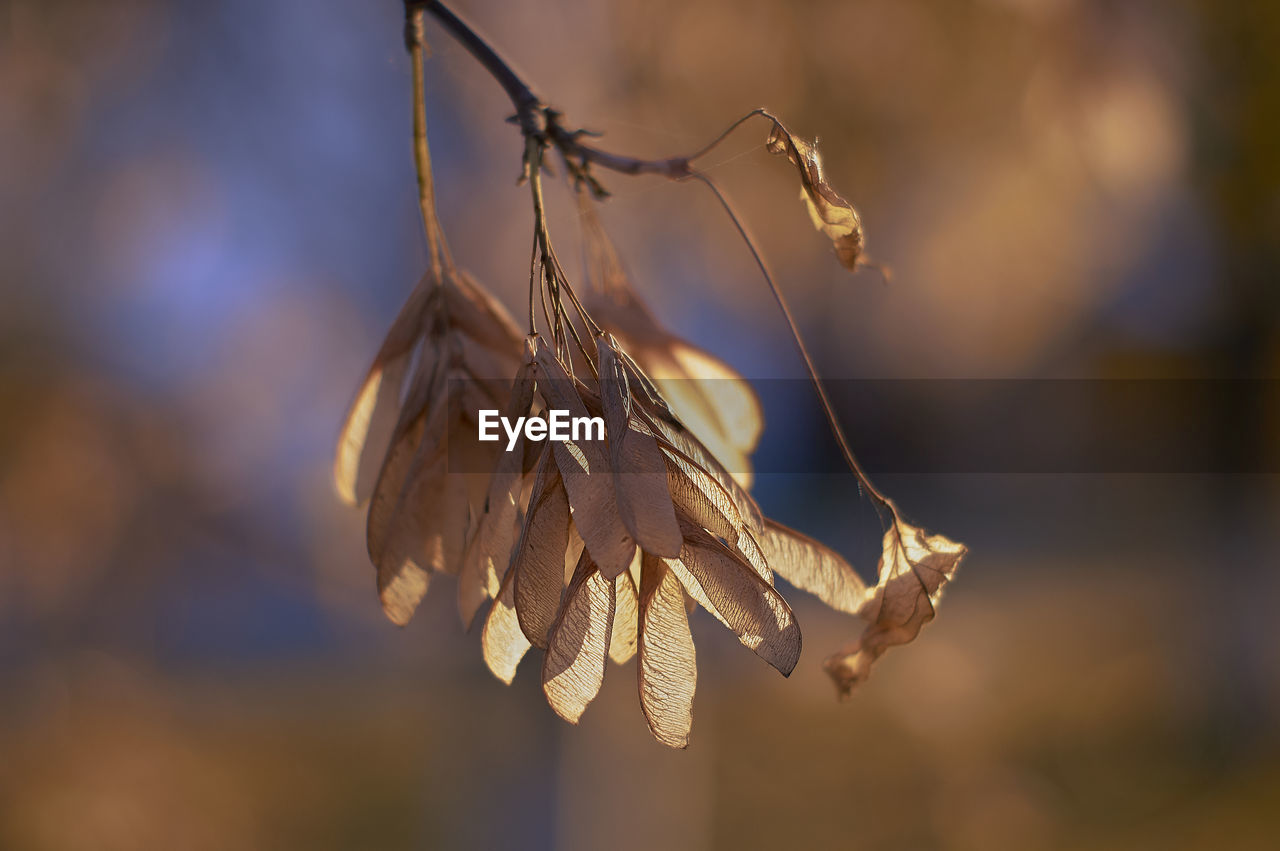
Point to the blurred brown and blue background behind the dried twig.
(208, 219)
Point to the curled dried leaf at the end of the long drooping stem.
(913, 571)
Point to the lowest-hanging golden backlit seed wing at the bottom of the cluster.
(669, 669)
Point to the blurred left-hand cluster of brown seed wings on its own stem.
(447, 355)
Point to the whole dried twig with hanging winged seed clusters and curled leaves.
(595, 551)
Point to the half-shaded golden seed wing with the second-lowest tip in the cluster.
(579, 644)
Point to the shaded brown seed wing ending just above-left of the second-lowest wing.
(540, 561)
